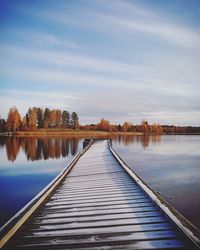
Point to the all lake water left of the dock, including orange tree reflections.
(27, 165)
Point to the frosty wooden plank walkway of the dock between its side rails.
(99, 206)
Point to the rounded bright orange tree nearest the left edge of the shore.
(13, 120)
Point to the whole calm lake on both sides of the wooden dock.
(170, 164)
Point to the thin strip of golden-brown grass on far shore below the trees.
(71, 133)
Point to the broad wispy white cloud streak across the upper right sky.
(122, 17)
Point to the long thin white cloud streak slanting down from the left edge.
(68, 59)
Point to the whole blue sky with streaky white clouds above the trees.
(118, 60)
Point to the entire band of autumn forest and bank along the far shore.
(38, 118)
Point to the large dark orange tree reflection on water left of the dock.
(39, 148)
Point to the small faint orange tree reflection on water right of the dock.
(143, 140)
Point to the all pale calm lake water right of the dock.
(170, 164)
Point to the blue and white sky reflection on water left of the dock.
(22, 179)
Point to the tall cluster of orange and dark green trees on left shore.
(36, 118)
